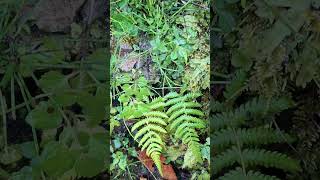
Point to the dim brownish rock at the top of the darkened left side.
(56, 15)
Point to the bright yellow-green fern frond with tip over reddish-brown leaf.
(149, 130)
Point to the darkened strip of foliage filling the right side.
(276, 44)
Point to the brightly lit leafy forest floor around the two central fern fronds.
(158, 48)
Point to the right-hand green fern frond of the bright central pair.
(184, 121)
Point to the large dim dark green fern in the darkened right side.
(237, 144)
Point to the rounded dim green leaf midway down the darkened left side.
(44, 116)
